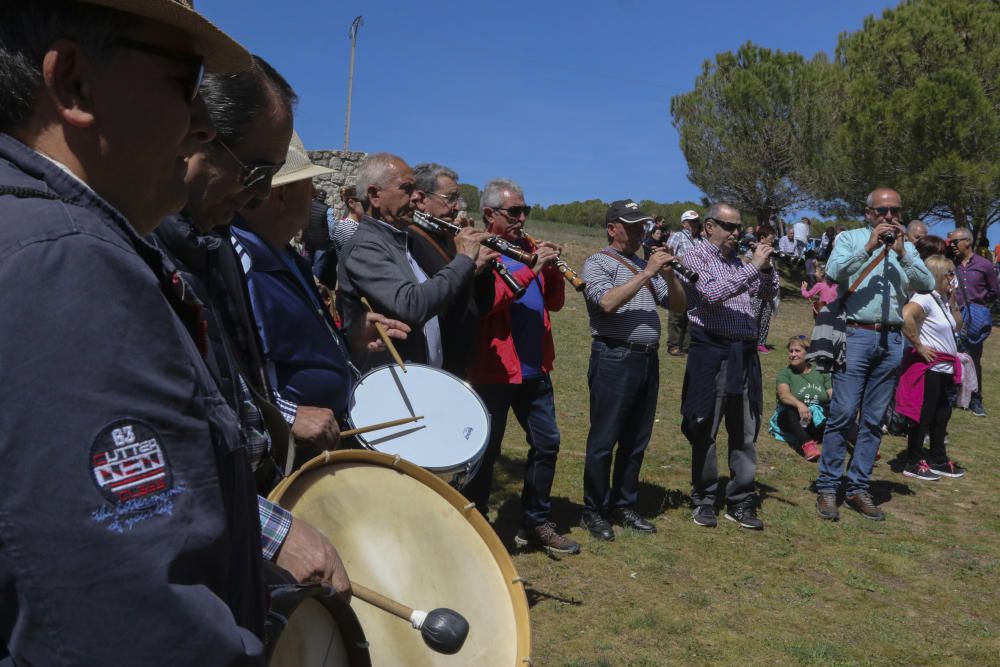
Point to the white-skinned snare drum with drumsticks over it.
(451, 438)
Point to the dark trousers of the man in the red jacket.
(534, 406)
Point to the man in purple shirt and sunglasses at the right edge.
(977, 289)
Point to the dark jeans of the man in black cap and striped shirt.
(623, 390)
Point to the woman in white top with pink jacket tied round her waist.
(929, 323)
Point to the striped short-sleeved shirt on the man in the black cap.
(636, 321)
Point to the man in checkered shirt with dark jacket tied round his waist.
(722, 379)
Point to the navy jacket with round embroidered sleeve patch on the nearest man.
(128, 530)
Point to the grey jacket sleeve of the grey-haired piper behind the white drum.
(375, 272)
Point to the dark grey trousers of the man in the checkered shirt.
(742, 426)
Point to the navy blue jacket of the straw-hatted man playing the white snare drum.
(306, 356)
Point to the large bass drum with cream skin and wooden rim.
(404, 532)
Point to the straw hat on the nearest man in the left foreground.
(221, 52)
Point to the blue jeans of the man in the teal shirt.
(867, 381)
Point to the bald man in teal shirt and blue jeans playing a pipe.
(867, 379)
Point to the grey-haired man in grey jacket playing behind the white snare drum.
(379, 263)
